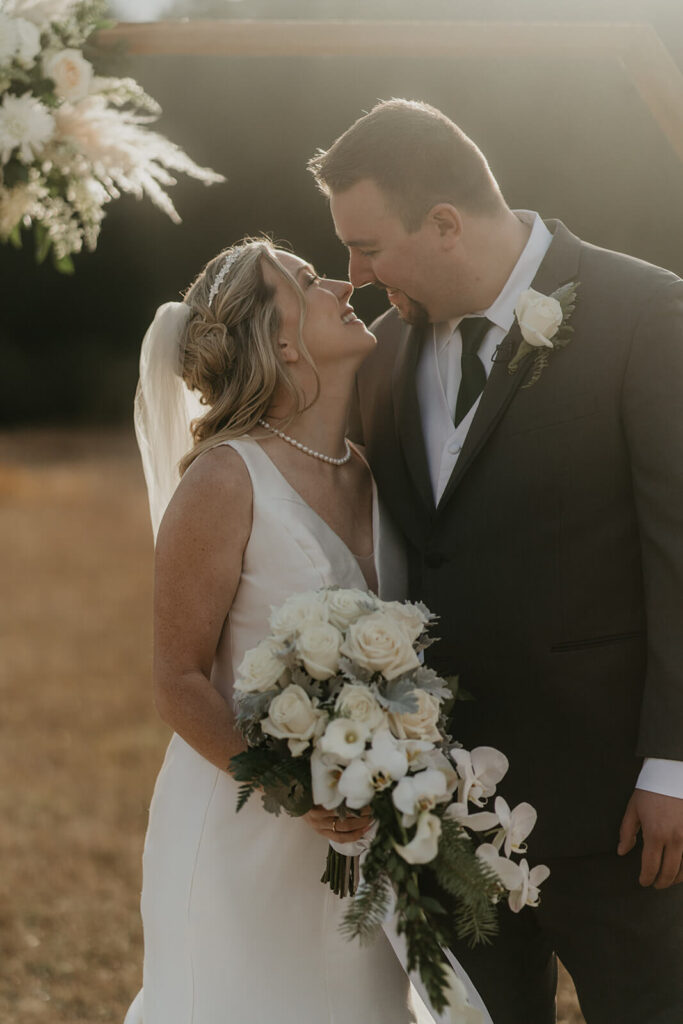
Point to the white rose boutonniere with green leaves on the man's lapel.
(544, 322)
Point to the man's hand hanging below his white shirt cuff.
(661, 820)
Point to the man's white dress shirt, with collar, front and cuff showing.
(439, 377)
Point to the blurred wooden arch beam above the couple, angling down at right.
(636, 47)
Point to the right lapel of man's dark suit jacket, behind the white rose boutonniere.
(560, 267)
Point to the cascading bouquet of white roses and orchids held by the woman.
(338, 711)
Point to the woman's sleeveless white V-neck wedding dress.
(238, 927)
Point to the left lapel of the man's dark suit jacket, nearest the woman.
(407, 412)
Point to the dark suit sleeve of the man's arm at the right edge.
(653, 416)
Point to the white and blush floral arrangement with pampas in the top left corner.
(72, 141)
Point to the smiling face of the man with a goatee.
(382, 252)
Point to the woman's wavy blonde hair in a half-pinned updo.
(230, 354)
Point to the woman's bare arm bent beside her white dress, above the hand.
(198, 565)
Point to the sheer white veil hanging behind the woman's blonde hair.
(164, 407)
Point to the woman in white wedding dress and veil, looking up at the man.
(272, 500)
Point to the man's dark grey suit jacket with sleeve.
(556, 557)
